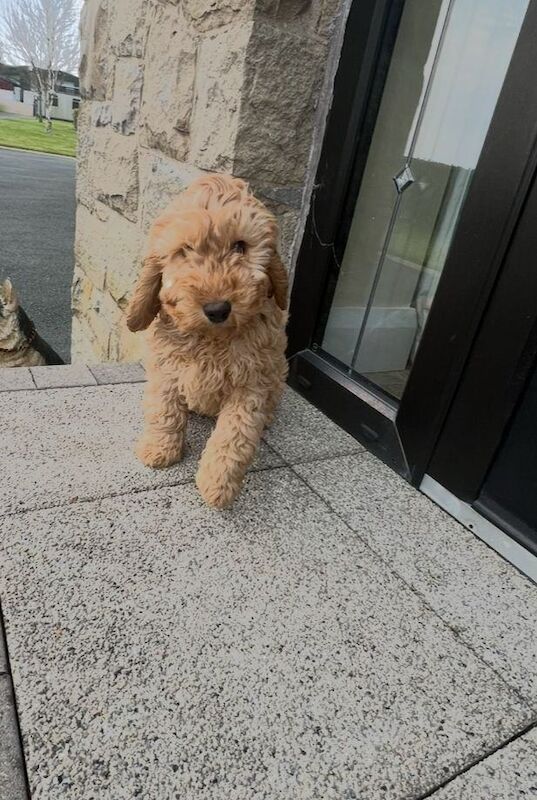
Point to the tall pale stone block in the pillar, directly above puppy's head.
(219, 89)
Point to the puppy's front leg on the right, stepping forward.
(231, 448)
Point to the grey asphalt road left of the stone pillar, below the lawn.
(37, 229)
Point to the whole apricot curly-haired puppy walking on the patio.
(214, 292)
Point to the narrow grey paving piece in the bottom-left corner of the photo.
(12, 780)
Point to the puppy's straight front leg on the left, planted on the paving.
(165, 415)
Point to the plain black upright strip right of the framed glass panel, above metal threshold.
(498, 367)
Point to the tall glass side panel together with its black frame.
(428, 157)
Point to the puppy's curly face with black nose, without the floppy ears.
(215, 266)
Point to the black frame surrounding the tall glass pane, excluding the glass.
(405, 436)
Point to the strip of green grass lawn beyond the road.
(29, 134)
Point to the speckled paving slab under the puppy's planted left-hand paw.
(67, 444)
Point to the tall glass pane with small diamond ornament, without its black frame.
(446, 73)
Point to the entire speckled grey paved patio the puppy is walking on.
(334, 635)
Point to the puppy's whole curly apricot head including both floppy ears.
(212, 261)
